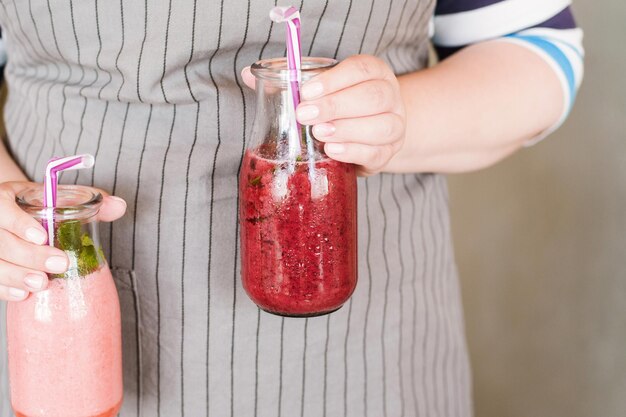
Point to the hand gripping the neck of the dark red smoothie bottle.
(356, 109)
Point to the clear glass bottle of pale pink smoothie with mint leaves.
(64, 343)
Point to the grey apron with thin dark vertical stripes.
(152, 88)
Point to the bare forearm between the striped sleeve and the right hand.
(475, 108)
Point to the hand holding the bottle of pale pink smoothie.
(24, 256)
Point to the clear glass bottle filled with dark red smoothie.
(298, 208)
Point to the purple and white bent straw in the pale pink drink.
(54, 166)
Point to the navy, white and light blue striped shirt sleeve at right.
(546, 27)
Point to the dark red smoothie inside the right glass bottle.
(298, 235)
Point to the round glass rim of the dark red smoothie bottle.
(276, 69)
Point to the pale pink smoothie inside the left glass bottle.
(65, 349)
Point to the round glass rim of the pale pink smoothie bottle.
(73, 202)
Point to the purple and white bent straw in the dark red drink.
(291, 16)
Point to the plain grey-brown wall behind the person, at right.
(541, 247)
